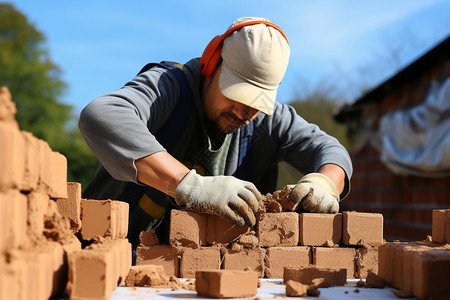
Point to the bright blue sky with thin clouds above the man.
(100, 45)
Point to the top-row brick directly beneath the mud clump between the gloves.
(278, 229)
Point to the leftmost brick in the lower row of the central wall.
(165, 255)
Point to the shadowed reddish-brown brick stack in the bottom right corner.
(422, 268)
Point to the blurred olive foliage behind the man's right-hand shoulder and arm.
(315, 108)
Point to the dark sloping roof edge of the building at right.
(409, 73)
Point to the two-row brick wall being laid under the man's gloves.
(346, 240)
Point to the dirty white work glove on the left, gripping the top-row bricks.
(233, 199)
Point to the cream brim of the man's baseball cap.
(240, 90)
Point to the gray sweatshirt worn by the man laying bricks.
(121, 127)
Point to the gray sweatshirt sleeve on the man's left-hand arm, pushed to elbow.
(119, 127)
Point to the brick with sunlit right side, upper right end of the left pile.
(103, 218)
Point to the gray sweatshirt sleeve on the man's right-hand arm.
(305, 146)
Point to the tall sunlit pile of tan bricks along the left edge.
(40, 217)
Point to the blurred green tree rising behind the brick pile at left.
(35, 84)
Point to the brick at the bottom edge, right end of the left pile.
(91, 274)
